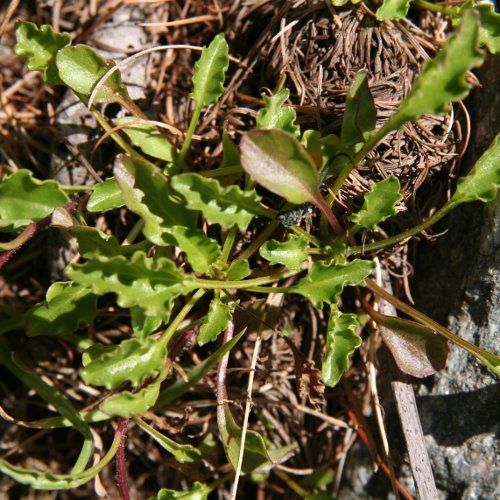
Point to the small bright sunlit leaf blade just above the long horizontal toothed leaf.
(201, 251)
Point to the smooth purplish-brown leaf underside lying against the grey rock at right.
(417, 350)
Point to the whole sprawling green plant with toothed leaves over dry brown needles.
(184, 246)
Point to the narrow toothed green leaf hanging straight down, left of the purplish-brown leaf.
(341, 341)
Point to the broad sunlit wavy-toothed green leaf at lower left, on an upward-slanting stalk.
(131, 361)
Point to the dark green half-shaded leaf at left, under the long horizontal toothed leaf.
(67, 306)
